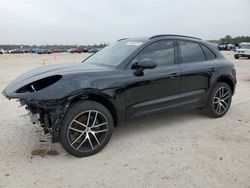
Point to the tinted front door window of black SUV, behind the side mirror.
(162, 52)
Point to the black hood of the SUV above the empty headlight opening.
(47, 71)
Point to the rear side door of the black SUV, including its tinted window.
(197, 64)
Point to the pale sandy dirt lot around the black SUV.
(181, 150)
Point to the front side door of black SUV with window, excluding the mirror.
(157, 89)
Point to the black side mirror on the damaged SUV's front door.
(145, 63)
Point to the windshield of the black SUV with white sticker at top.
(114, 54)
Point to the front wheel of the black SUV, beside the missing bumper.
(86, 128)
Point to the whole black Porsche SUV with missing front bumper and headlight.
(80, 104)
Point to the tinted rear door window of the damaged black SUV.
(191, 52)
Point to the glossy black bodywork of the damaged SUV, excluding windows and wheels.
(167, 87)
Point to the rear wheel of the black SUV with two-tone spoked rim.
(219, 100)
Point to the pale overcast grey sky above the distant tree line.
(97, 21)
